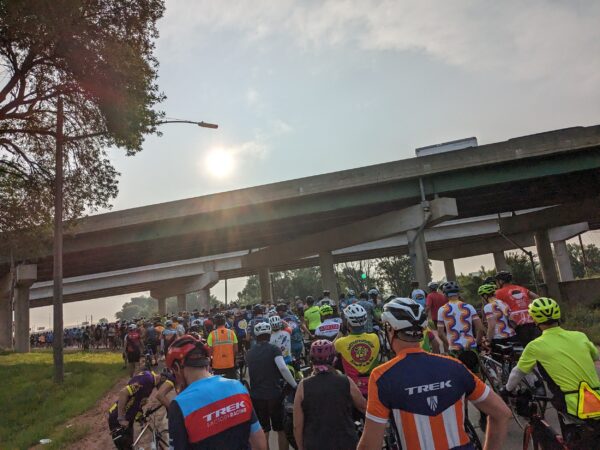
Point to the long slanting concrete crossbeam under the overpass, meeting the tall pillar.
(371, 229)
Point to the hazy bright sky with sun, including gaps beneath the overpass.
(307, 87)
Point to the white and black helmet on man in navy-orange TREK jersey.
(405, 316)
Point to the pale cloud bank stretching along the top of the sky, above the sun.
(526, 40)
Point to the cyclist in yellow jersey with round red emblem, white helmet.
(359, 351)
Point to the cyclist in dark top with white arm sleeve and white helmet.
(266, 367)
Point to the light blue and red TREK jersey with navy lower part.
(213, 412)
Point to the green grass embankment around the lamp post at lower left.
(33, 407)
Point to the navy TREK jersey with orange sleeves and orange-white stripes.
(424, 396)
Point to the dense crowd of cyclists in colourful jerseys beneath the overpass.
(360, 372)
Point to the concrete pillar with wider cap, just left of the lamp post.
(26, 276)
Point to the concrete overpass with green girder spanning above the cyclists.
(297, 219)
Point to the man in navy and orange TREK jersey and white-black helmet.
(423, 394)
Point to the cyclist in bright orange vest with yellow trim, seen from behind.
(223, 346)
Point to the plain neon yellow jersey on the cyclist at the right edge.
(568, 358)
